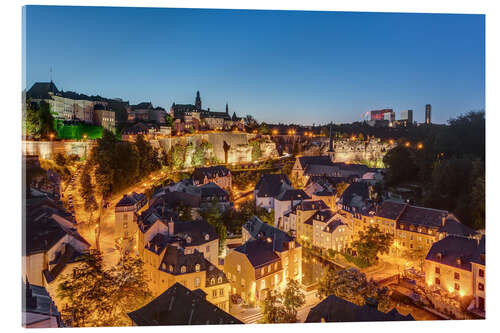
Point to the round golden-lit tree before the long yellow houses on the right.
(372, 242)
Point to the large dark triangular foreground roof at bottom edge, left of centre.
(180, 306)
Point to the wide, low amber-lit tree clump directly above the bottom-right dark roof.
(352, 285)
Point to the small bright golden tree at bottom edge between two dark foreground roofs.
(282, 307)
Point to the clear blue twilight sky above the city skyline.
(280, 66)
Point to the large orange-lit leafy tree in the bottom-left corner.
(96, 296)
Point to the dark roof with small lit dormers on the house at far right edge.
(449, 249)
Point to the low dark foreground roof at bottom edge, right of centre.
(336, 309)
